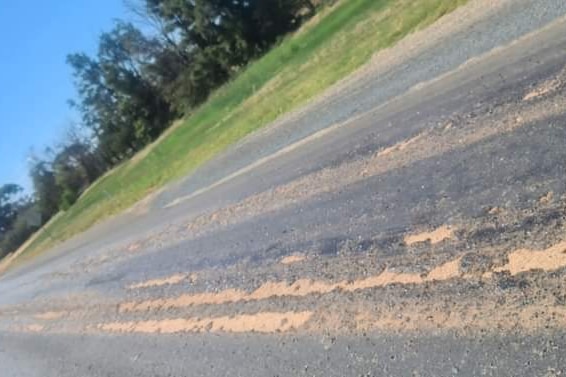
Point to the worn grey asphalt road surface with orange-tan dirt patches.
(421, 236)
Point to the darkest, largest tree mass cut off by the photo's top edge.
(203, 43)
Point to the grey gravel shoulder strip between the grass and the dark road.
(476, 28)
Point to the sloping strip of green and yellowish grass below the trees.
(334, 44)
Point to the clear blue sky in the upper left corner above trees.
(35, 82)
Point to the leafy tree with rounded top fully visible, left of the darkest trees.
(119, 103)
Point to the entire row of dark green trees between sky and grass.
(145, 74)
